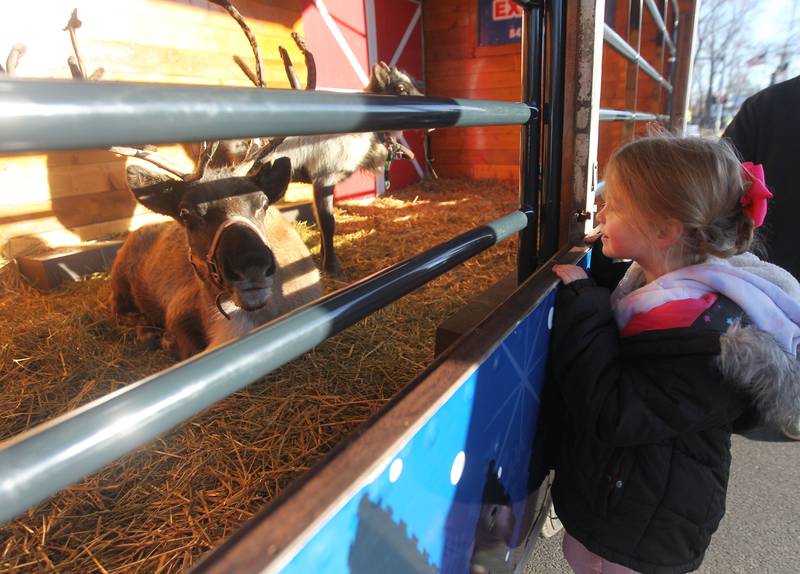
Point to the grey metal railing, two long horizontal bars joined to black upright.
(51, 114)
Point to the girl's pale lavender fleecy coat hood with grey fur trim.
(760, 357)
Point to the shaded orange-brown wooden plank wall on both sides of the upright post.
(457, 67)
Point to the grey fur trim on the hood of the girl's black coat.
(755, 363)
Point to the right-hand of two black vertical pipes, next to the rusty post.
(550, 208)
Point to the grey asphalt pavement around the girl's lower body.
(760, 533)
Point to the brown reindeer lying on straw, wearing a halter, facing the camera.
(226, 264)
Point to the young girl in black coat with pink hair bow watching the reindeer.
(696, 336)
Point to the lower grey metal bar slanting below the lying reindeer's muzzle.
(39, 462)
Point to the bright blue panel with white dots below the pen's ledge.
(461, 482)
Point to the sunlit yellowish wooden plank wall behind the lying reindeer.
(60, 198)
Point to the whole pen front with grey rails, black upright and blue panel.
(407, 457)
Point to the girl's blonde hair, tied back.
(695, 181)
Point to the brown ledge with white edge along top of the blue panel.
(270, 541)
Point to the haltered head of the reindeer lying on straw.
(223, 217)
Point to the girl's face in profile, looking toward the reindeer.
(622, 239)
